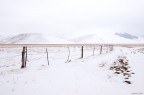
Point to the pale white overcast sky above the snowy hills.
(71, 16)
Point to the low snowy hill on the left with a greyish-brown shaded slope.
(33, 38)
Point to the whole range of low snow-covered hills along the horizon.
(95, 38)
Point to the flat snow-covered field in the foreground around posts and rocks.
(90, 75)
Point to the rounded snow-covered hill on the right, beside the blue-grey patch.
(105, 38)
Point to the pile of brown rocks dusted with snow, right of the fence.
(121, 66)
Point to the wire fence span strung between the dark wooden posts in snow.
(14, 55)
